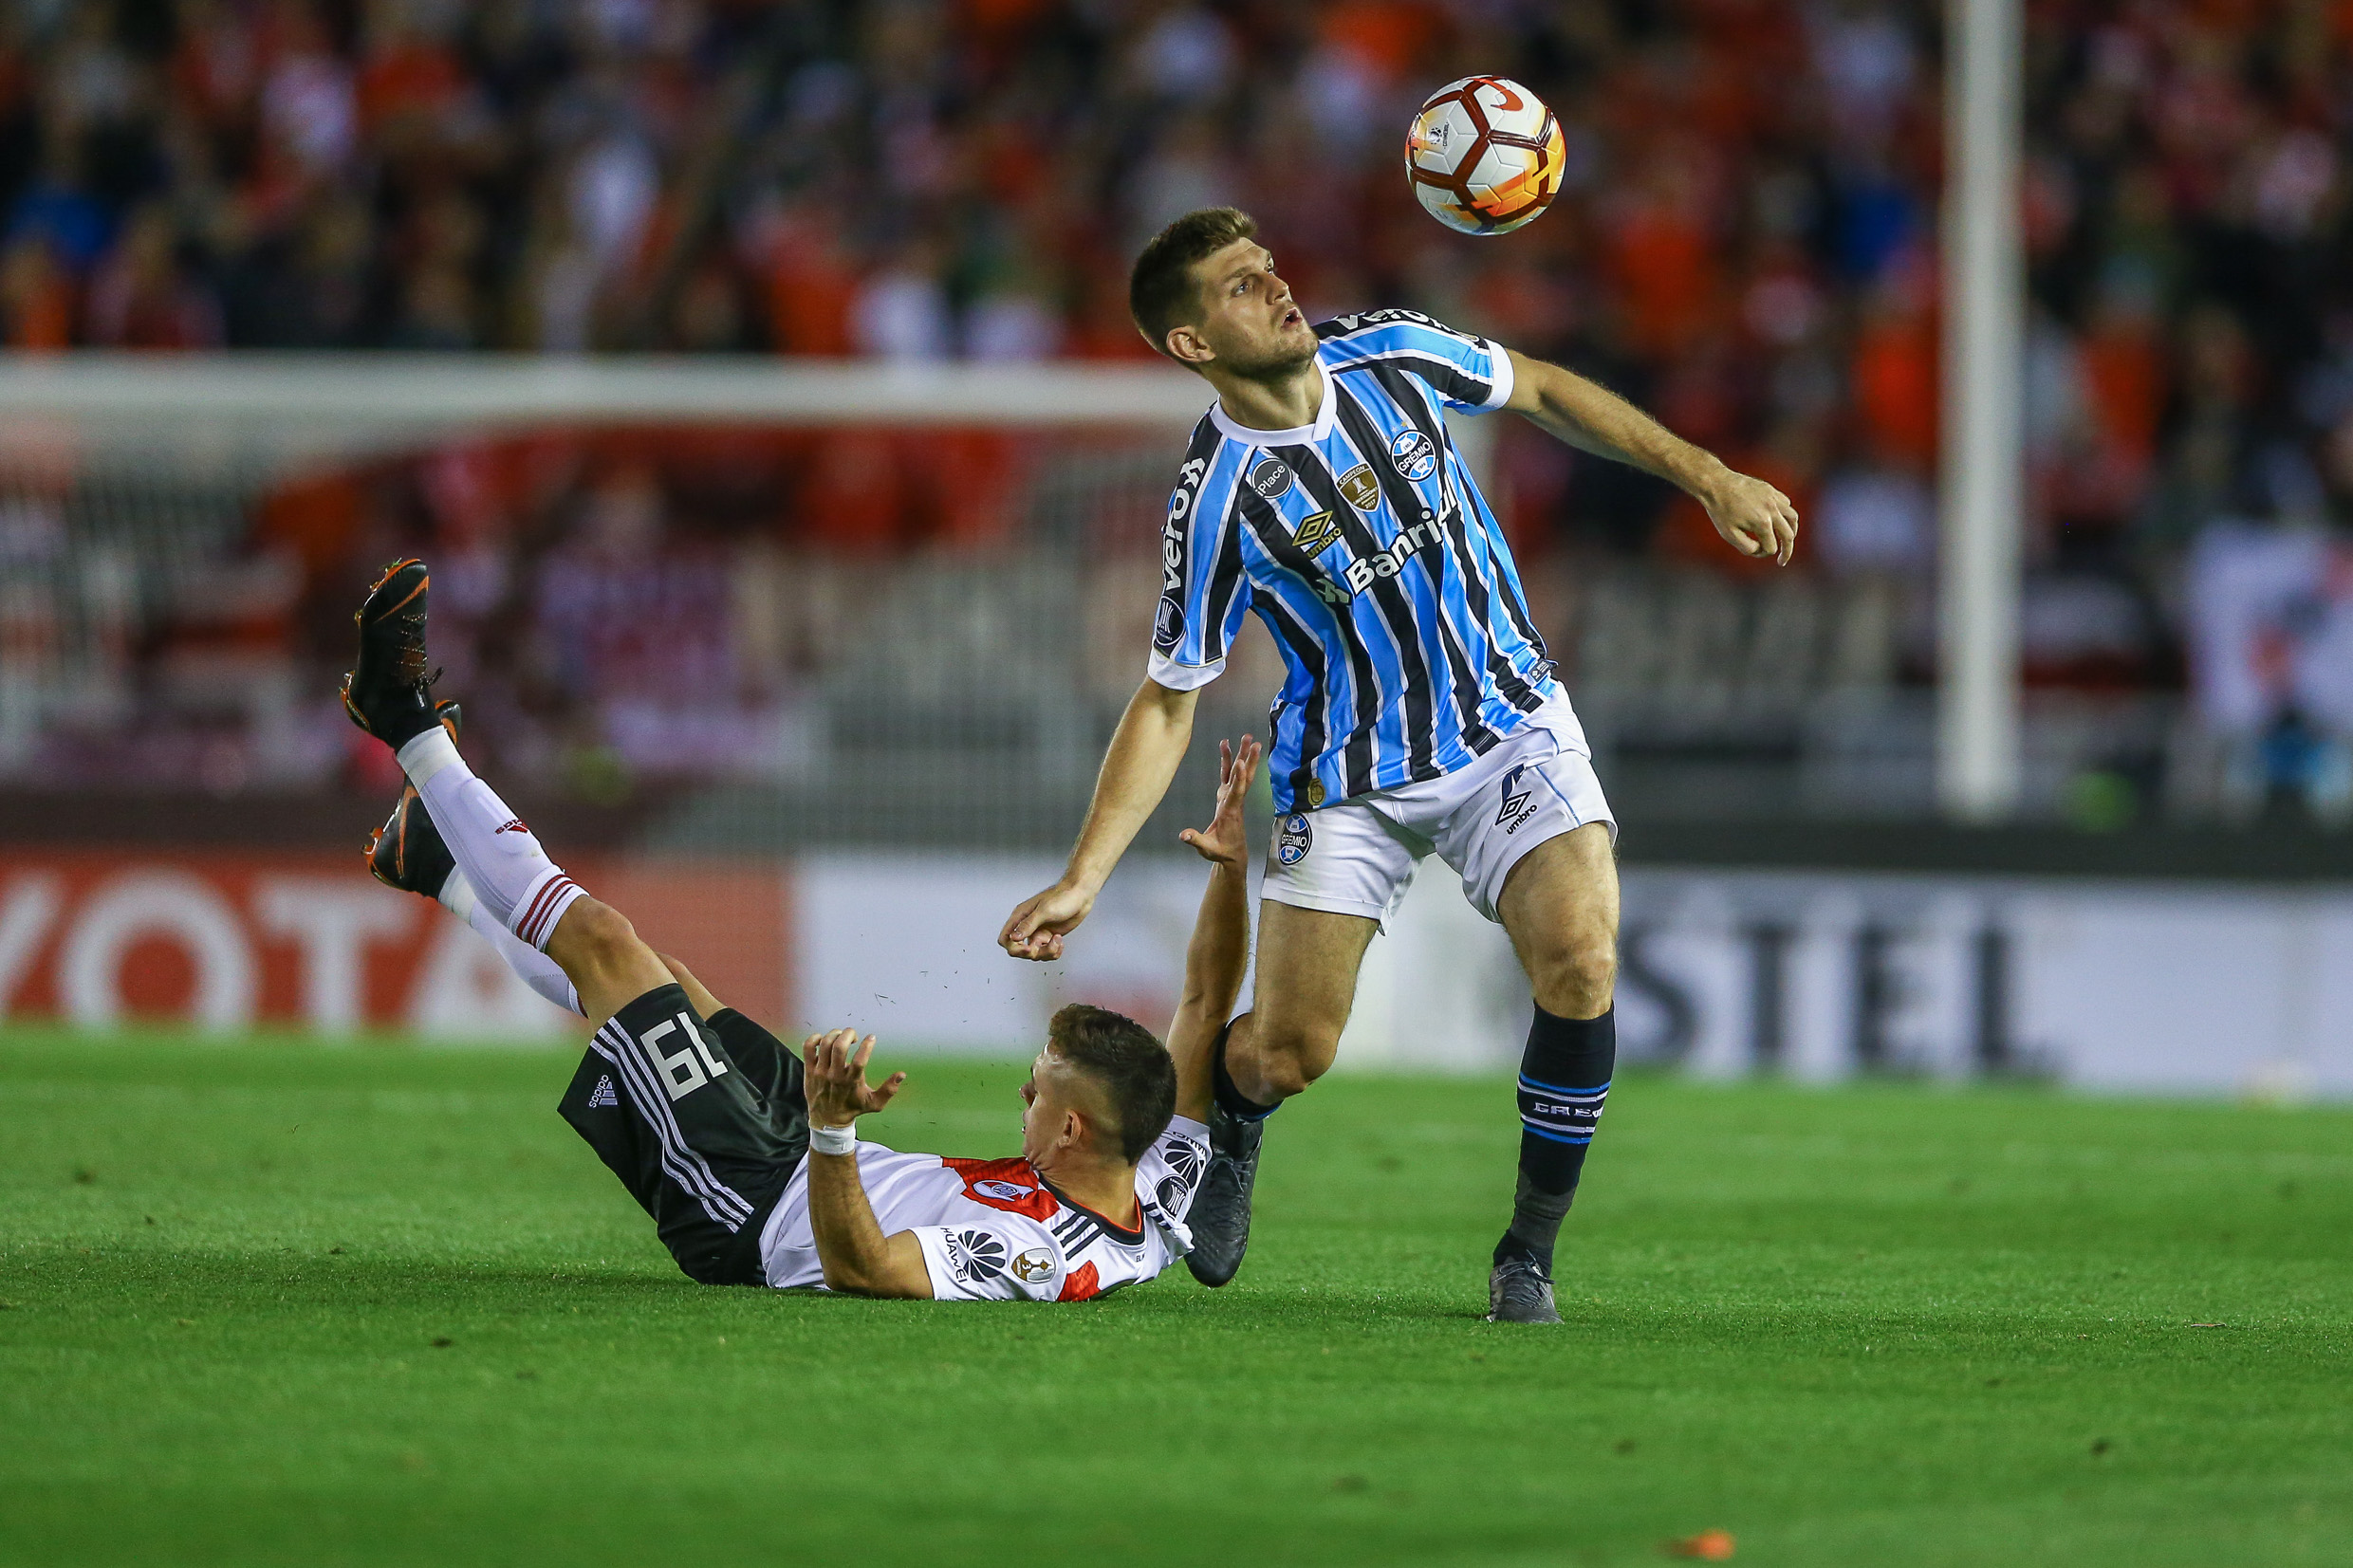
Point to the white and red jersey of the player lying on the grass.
(994, 1231)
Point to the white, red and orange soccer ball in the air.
(1486, 156)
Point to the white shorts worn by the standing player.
(1359, 857)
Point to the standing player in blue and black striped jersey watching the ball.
(1420, 709)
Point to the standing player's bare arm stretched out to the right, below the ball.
(1752, 516)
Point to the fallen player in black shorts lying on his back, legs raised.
(749, 1160)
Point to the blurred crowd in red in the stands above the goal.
(1747, 239)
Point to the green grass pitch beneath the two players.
(298, 1306)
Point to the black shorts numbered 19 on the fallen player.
(702, 1120)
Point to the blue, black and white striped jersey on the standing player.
(1371, 556)
